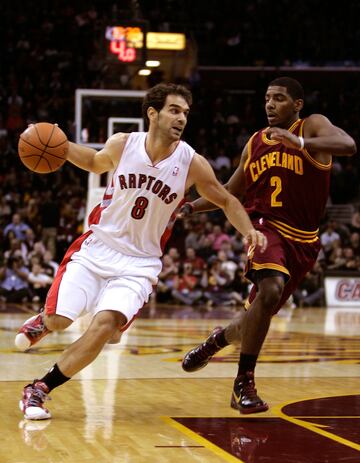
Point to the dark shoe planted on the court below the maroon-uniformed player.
(244, 396)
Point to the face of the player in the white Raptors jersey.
(173, 116)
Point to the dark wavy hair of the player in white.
(157, 95)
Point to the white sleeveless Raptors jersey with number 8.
(139, 207)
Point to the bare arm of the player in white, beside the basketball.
(98, 161)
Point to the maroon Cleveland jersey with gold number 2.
(286, 186)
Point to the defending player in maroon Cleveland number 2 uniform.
(283, 179)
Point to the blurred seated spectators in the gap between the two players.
(209, 269)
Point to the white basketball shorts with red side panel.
(93, 277)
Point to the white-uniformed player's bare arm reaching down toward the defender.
(202, 175)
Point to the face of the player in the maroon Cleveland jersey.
(281, 109)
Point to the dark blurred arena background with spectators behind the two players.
(52, 48)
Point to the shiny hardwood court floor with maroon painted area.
(135, 403)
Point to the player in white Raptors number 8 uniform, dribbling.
(110, 270)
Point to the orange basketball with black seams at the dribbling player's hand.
(43, 147)
